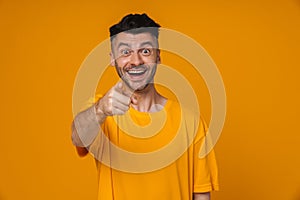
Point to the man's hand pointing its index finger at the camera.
(116, 101)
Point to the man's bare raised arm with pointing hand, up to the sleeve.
(86, 125)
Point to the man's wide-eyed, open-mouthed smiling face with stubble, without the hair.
(135, 57)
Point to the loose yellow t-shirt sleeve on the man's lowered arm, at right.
(205, 169)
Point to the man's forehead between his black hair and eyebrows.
(134, 39)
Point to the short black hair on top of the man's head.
(135, 23)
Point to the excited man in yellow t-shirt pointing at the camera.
(127, 114)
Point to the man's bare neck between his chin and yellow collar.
(148, 100)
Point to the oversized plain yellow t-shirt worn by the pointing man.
(153, 156)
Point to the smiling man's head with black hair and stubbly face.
(135, 53)
